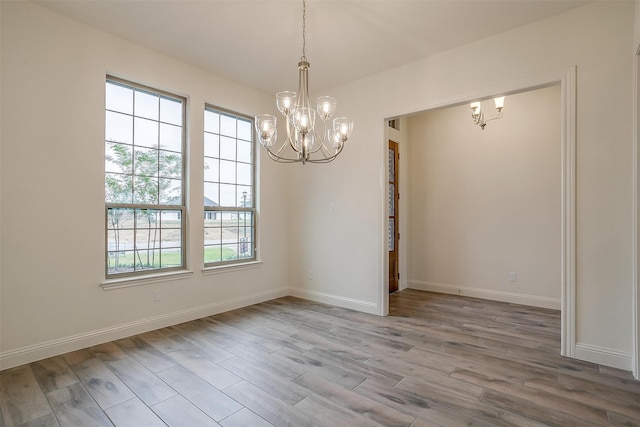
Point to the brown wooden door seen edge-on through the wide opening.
(394, 236)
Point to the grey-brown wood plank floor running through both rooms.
(436, 360)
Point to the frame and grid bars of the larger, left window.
(160, 208)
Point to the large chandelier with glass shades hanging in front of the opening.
(312, 137)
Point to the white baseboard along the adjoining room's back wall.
(511, 297)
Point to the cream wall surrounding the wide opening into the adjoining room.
(597, 39)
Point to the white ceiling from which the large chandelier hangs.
(259, 42)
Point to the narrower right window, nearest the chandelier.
(229, 190)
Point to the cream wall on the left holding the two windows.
(53, 74)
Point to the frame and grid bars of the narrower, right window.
(238, 262)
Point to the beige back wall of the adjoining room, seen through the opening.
(483, 203)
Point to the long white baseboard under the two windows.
(51, 348)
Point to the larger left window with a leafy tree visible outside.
(144, 180)
